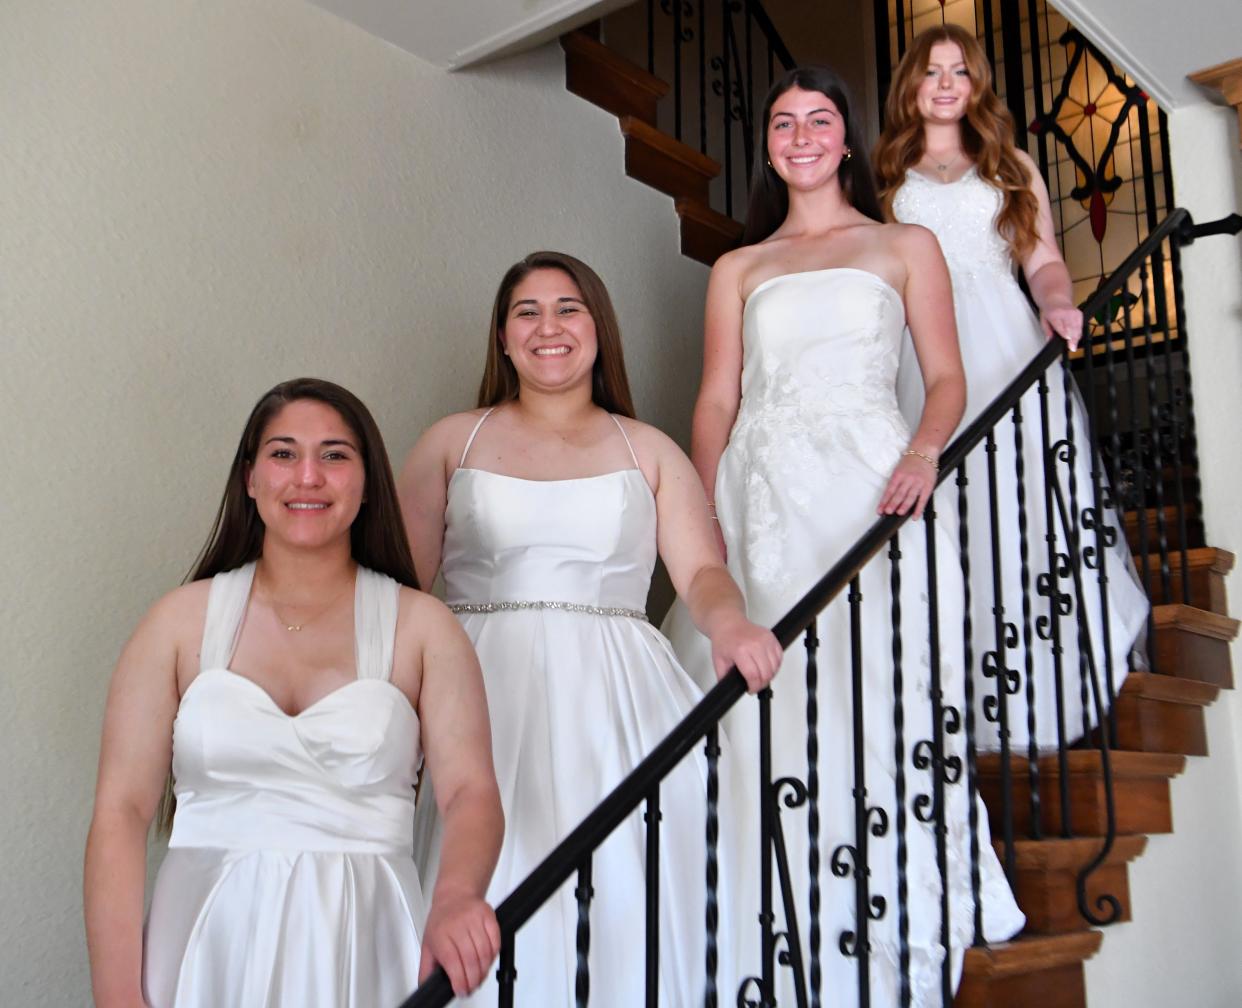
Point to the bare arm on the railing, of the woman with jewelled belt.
(687, 546)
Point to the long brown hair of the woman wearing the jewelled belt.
(610, 388)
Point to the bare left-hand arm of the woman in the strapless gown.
(721, 388)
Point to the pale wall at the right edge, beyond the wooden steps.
(1187, 889)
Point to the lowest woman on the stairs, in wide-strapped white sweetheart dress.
(292, 687)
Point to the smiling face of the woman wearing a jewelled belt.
(550, 335)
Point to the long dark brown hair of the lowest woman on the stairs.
(377, 538)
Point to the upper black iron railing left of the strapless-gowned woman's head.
(720, 58)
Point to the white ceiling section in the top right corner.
(1159, 43)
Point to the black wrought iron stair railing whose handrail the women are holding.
(967, 706)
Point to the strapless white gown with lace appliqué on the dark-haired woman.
(817, 439)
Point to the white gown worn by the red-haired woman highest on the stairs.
(999, 336)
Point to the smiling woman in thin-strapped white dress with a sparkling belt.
(545, 511)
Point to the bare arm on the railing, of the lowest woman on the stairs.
(461, 933)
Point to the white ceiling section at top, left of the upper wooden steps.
(455, 34)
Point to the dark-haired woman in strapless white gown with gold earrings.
(800, 444)
